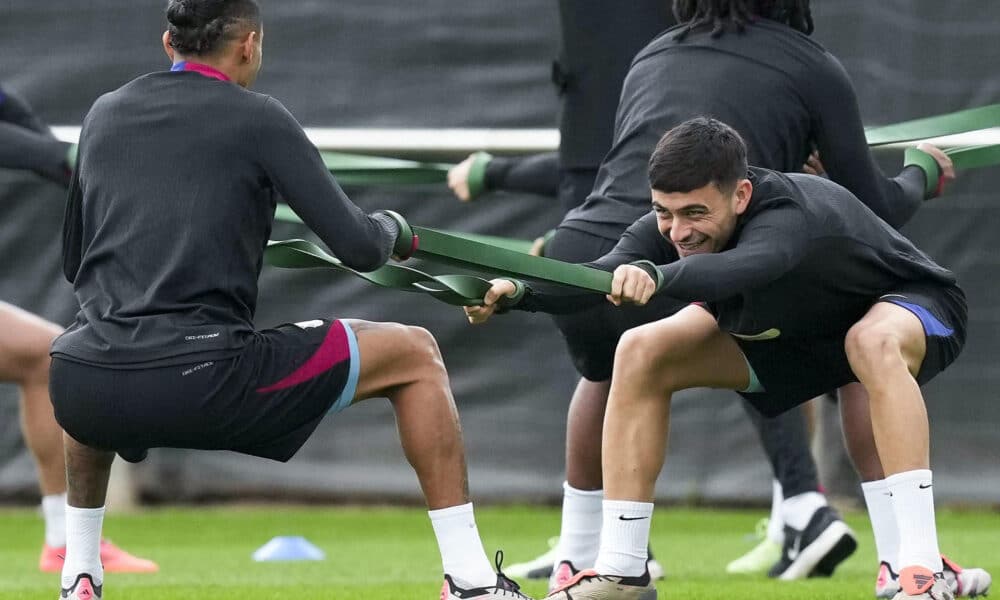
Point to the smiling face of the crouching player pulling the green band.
(702, 220)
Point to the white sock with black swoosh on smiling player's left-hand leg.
(624, 538)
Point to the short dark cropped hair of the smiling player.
(696, 153)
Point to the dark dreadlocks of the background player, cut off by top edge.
(721, 14)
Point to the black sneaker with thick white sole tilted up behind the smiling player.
(816, 550)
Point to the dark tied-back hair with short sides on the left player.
(199, 27)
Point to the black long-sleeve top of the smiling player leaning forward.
(807, 258)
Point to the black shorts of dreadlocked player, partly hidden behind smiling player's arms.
(592, 335)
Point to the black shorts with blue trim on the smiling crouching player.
(793, 371)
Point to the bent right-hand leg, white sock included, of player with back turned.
(404, 364)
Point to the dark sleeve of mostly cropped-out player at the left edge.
(27, 143)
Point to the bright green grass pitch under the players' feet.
(389, 553)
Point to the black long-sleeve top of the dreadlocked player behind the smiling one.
(783, 92)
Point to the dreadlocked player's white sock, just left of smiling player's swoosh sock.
(580, 535)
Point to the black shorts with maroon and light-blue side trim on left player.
(266, 401)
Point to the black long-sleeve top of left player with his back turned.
(170, 210)
